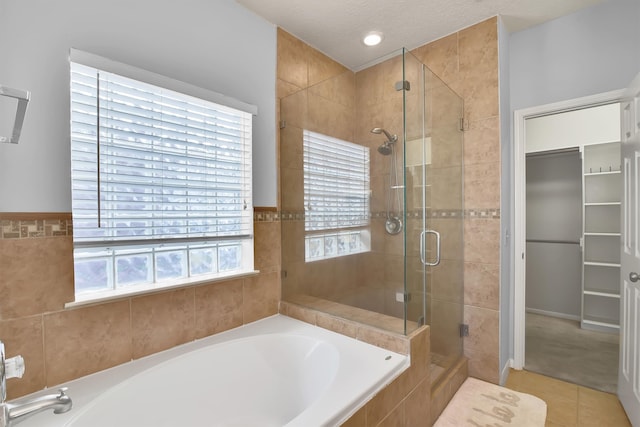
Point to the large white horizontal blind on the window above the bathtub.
(150, 163)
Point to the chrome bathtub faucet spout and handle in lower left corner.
(12, 413)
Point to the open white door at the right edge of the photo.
(629, 372)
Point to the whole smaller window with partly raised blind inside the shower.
(336, 197)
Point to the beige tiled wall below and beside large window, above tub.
(59, 345)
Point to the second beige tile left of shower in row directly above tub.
(218, 307)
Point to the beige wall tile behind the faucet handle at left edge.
(24, 337)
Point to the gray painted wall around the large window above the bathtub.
(217, 45)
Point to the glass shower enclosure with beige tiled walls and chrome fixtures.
(372, 201)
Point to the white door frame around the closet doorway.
(519, 214)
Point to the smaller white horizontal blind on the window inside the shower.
(336, 183)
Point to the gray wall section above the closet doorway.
(591, 51)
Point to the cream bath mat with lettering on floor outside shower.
(478, 404)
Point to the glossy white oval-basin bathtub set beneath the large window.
(274, 372)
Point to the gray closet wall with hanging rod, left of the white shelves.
(554, 213)
